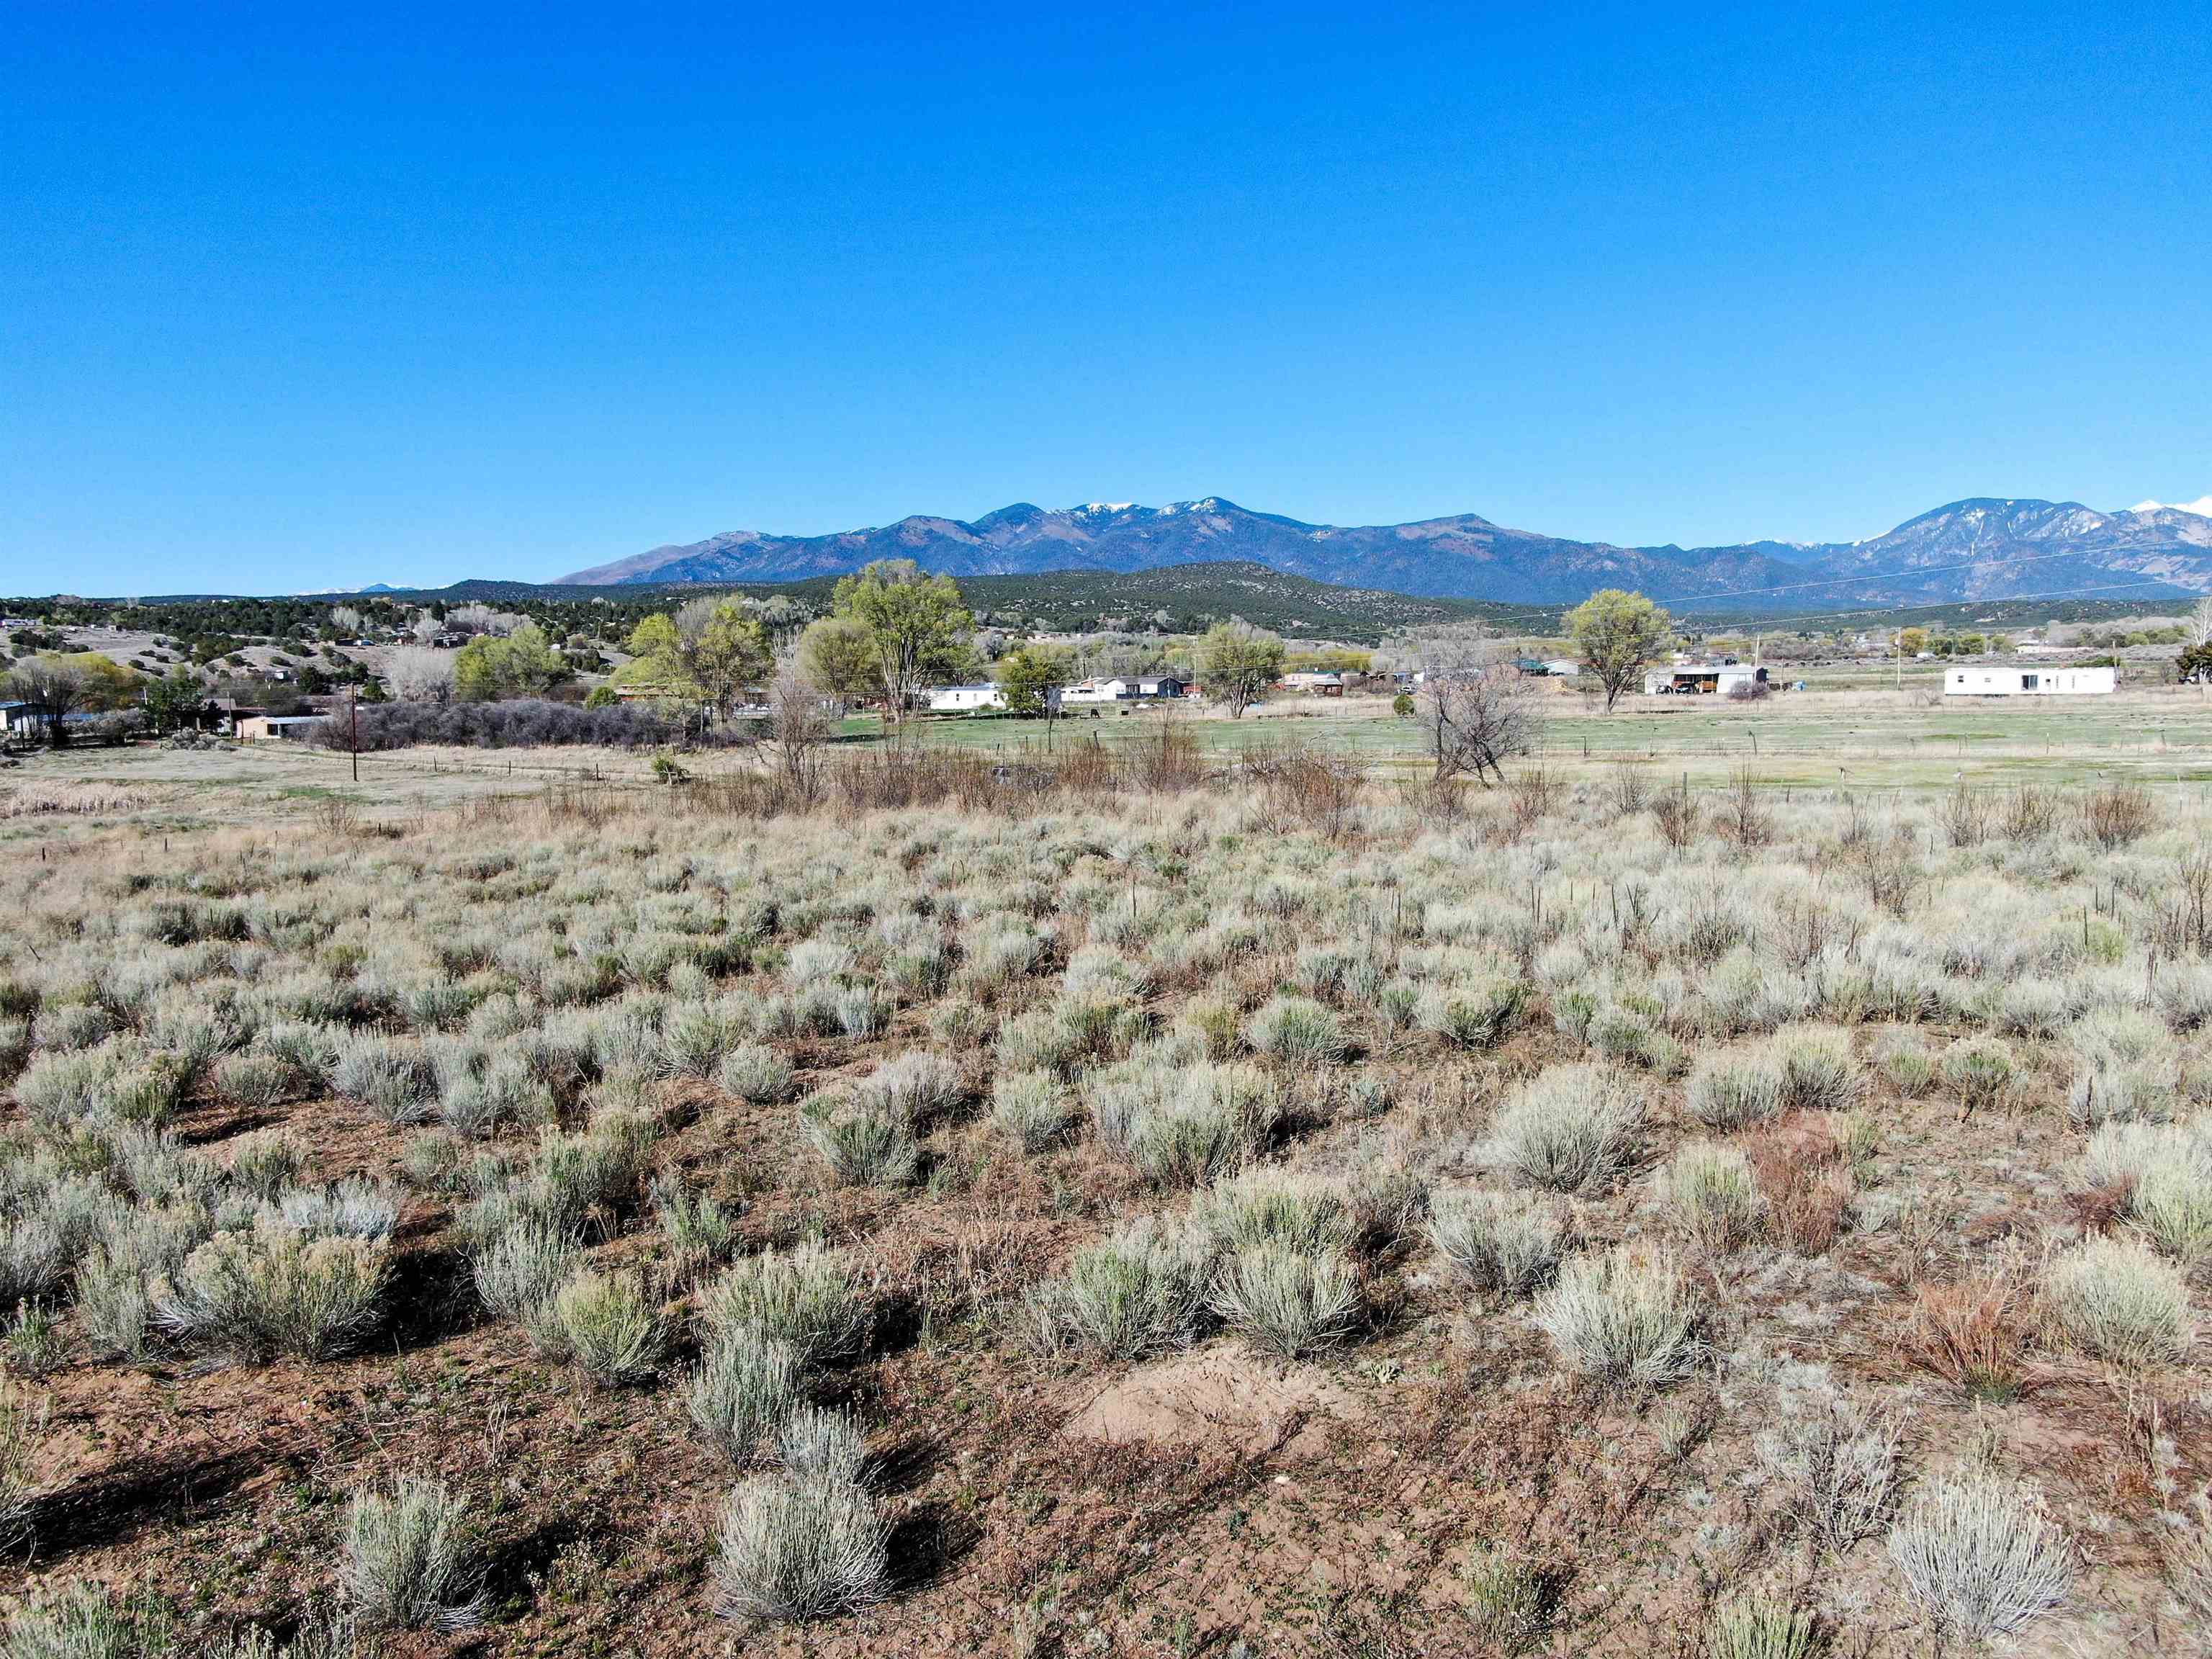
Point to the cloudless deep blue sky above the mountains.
(304, 298)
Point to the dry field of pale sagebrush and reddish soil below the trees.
(1269, 1209)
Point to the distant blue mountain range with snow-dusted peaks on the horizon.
(1972, 550)
